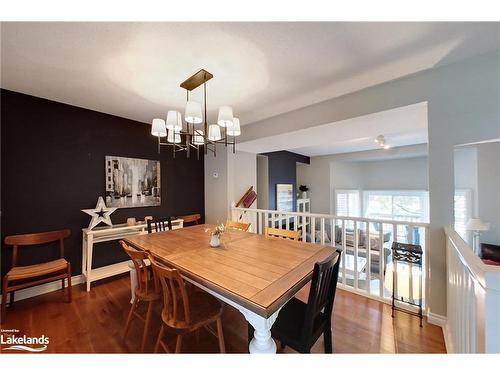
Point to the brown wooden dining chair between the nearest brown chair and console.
(148, 290)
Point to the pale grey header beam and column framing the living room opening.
(462, 107)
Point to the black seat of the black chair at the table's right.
(286, 328)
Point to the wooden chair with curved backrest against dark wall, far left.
(21, 277)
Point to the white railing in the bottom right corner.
(473, 300)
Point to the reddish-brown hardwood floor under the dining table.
(94, 322)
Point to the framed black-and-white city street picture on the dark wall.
(132, 182)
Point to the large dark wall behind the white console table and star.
(53, 166)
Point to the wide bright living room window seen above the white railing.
(397, 205)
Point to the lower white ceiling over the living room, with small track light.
(402, 126)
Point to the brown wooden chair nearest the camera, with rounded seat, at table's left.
(182, 316)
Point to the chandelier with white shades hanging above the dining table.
(196, 132)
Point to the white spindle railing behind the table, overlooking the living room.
(365, 244)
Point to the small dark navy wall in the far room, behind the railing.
(282, 168)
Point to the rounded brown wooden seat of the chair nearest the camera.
(203, 308)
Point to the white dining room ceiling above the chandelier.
(134, 70)
